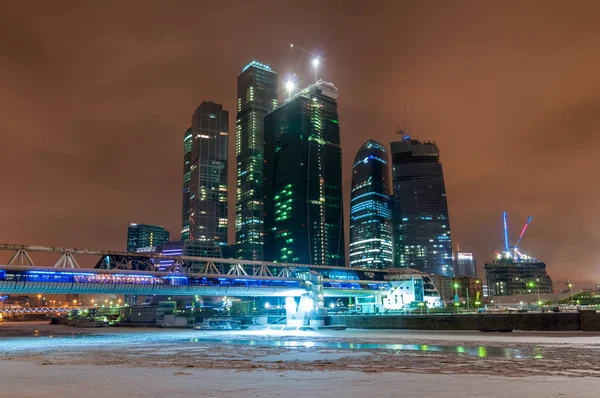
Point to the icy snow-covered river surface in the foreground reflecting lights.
(351, 363)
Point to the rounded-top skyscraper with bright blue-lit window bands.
(370, 213)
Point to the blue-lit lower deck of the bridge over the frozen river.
(19, 280)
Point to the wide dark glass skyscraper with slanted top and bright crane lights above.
(303, 179)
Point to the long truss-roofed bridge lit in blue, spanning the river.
(157, 274)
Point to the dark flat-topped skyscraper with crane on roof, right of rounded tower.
(420, 212)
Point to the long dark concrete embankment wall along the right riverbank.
(572, 321)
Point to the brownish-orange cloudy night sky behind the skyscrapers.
(95, 99)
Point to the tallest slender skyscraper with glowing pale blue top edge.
(257, 96)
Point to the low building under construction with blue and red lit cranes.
(514, 272)
